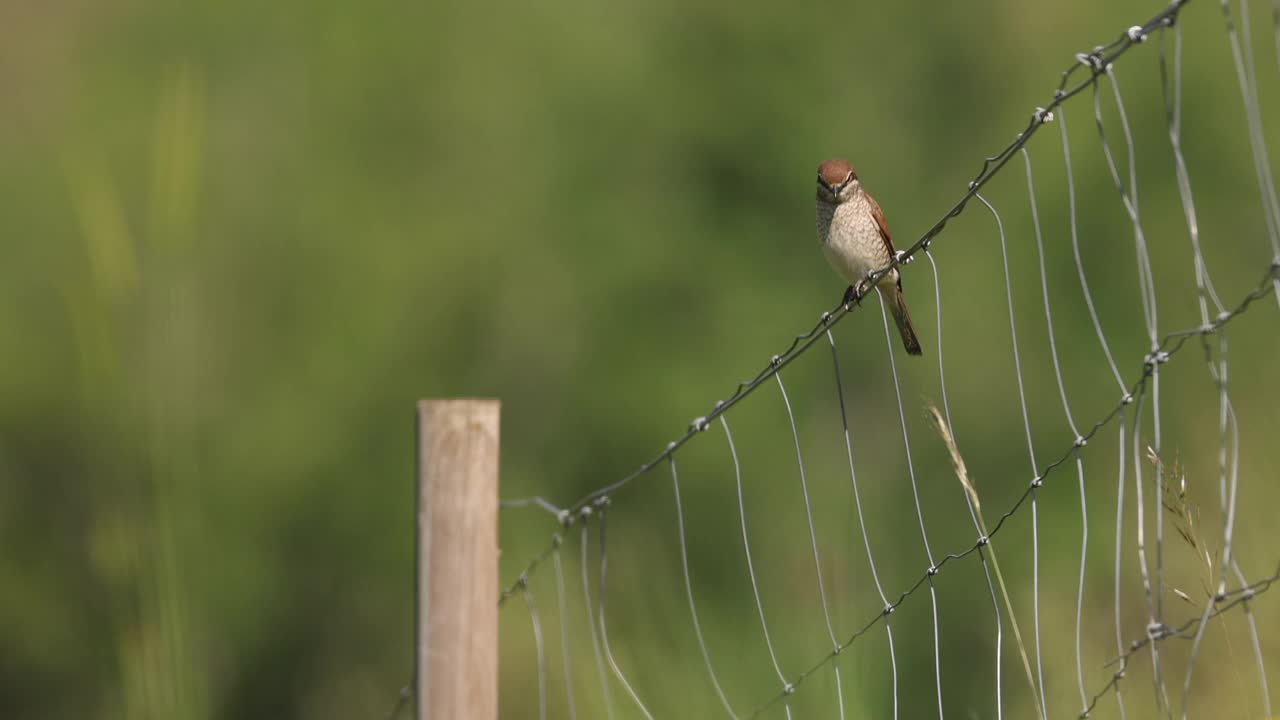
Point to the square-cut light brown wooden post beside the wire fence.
(456, 675)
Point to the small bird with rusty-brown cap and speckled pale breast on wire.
(856, 241)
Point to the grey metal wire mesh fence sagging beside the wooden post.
(1137, 400)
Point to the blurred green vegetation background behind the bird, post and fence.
(241, 240)
